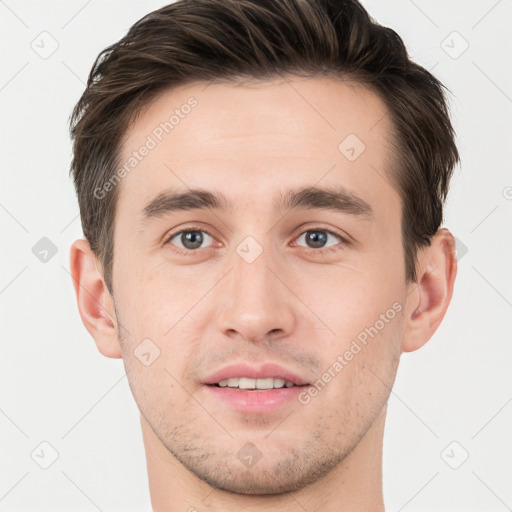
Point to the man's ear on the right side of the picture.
(429, 297)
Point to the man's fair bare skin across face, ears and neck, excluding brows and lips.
(210, 308)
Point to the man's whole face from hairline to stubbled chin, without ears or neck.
(264, 285)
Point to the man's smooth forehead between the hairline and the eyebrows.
(254, 137)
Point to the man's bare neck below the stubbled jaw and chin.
(355, 485)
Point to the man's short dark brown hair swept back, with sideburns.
(201, 40)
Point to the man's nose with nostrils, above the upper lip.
(256, 302)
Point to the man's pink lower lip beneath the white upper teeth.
(255, 401)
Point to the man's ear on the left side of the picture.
(95, 304)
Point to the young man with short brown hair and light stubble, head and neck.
(261, 187)
